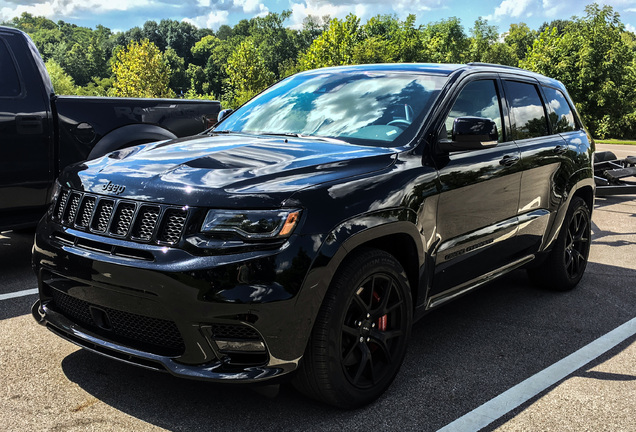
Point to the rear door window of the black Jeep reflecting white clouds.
(527, 115)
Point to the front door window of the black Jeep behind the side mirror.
(477, 99)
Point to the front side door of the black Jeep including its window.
(477, 209)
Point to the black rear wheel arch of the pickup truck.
(128, 135)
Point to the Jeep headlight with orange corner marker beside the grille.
(252, 224)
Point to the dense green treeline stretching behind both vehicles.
(594, 56)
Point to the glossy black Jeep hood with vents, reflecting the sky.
(225, 171)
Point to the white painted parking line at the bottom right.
(497, 407)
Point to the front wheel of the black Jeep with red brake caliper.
(360, 335)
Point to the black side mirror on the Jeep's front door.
(471, 133)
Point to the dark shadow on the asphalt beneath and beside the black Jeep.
(460, 356)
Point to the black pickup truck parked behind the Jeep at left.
(41, 133)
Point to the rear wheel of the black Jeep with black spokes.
(564, 267)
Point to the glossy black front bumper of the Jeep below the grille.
(130, 309)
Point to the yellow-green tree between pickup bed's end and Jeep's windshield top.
(247, 73)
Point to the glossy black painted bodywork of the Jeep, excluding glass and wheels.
(454, 220)
